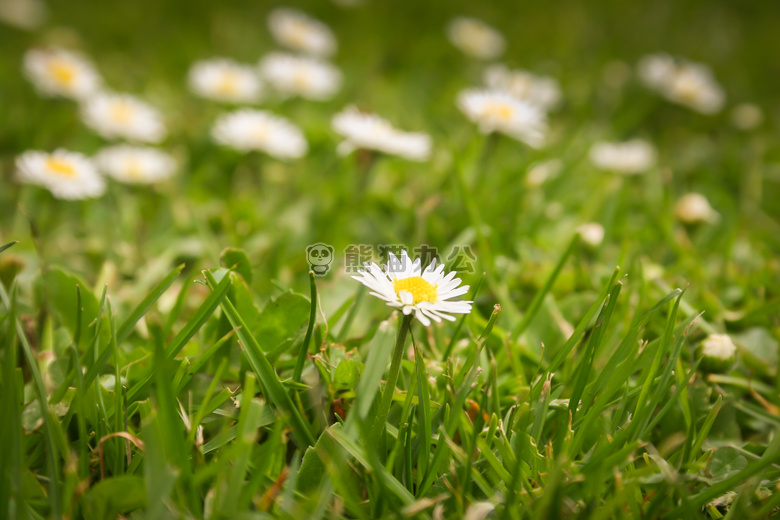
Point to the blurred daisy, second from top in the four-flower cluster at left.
(122, 116)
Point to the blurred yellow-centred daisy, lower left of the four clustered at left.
(67, 175)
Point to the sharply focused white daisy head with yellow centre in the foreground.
(426, 294)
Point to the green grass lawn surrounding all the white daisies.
(164, 352)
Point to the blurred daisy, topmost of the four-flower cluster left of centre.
(297, 31)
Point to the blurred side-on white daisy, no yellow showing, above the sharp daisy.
(362, 130)
